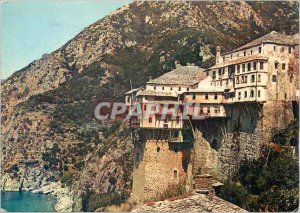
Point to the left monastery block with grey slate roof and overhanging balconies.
(166, 89)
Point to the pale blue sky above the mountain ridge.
(30, 28)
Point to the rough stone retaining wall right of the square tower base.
(222, 144)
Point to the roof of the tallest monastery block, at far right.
(272, 37)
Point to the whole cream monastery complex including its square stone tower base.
(263, 70)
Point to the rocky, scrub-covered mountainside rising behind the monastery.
(47, 107)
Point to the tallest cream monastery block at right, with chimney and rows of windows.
(257, 71)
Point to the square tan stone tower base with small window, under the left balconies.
(158, 166)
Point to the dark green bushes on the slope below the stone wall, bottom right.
(270, 183)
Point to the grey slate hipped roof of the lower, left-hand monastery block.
(182, 75)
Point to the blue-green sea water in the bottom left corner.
(25, 201)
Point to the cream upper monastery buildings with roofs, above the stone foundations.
(262, 70)
